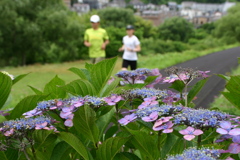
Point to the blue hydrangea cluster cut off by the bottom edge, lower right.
(197, 154)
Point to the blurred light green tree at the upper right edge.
(228, 27)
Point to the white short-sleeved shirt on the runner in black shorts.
(131, 43)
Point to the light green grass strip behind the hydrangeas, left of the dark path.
(39, 74)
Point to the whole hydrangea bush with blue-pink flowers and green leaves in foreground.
(99, 116)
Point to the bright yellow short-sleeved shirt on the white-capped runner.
(96, 38)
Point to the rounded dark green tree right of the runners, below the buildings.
(176, 29)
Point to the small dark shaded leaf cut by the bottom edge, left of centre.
(59, 150)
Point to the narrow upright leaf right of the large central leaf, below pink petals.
(104, 121)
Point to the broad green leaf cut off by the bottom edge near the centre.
(110, 148)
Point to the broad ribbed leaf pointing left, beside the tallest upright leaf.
(80, 87)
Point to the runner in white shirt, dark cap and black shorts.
(131, 45)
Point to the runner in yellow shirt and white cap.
(96, 39)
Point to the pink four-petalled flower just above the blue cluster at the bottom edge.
(190, 133)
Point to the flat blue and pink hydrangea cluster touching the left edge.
(40, 122)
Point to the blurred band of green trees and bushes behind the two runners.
(33, 31)
